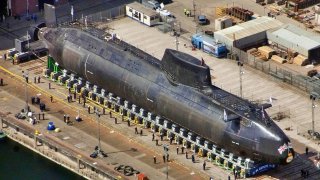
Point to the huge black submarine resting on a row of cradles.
(178, 88)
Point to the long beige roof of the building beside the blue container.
(249, 28)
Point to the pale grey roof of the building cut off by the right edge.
(297, 36)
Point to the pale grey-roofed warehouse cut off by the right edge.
(297, 40)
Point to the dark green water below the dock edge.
(18, 162)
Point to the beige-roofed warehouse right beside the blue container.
(248, 34)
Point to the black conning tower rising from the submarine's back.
(185, 69)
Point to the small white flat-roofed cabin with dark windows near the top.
(142, 14)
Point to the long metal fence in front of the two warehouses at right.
(295, 79)
